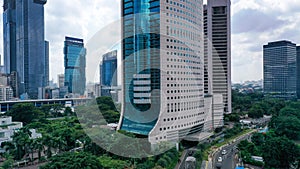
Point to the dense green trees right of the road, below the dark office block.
(277, 146)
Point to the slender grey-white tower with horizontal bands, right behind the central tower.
(217, 50)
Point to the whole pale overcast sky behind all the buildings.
(254, 23)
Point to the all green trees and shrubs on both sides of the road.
(65, 144)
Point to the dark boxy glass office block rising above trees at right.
(280, 69)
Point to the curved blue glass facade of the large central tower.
(141, 65)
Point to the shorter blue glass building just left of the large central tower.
(108, 72)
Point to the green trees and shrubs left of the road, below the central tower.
(64, 143)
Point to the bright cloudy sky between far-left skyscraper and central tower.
(76, 18)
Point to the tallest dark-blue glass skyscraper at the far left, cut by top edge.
(24, 43)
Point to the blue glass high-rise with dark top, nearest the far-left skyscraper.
(75, 65)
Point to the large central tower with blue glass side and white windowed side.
(163, 65)
